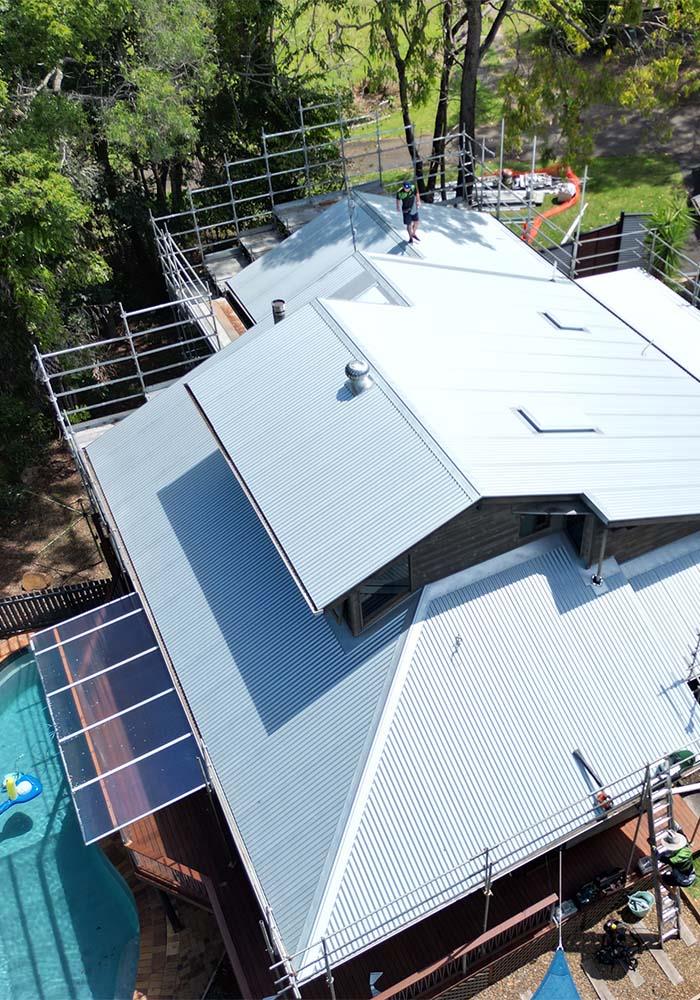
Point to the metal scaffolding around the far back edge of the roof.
(263, 197)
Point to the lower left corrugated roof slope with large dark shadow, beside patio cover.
(284, 700)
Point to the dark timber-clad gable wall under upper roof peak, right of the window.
(478, 534)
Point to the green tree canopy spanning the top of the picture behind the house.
(111, 107)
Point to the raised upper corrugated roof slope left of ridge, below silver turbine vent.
(343, 483)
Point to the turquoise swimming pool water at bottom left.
(68, 923)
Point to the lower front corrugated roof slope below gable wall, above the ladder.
(507, 669)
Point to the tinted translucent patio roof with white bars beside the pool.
(126, 744)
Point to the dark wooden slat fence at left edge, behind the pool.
(41, 608)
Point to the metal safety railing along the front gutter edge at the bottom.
(291, 971)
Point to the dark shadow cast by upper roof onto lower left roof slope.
(288, 658)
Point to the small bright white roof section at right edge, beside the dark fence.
(654, 309)
